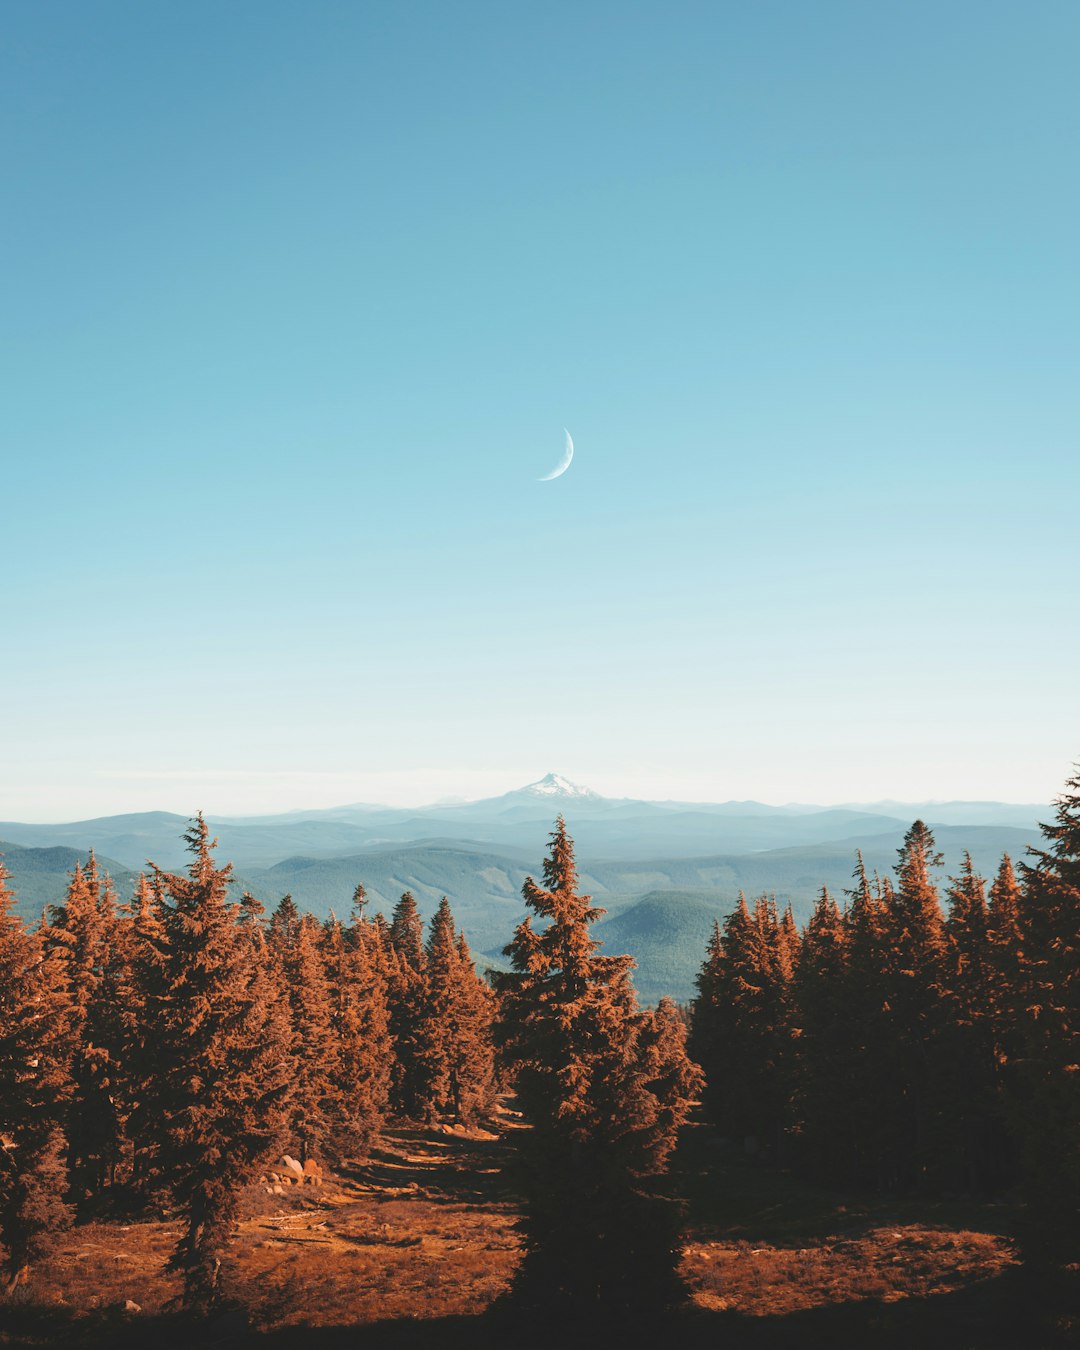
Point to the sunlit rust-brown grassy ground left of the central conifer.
(419, 1231)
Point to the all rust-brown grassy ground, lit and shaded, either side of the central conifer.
(418, 1247)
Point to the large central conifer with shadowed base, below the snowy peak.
(605, 1089)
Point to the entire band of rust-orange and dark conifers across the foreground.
(167, 1052)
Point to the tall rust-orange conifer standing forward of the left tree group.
(223, 1078)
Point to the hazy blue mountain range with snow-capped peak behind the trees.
(664, 870)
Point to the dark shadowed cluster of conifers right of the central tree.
(907, 1047)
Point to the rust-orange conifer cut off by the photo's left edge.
(36, 1051)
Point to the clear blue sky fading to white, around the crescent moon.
(300, 298)
